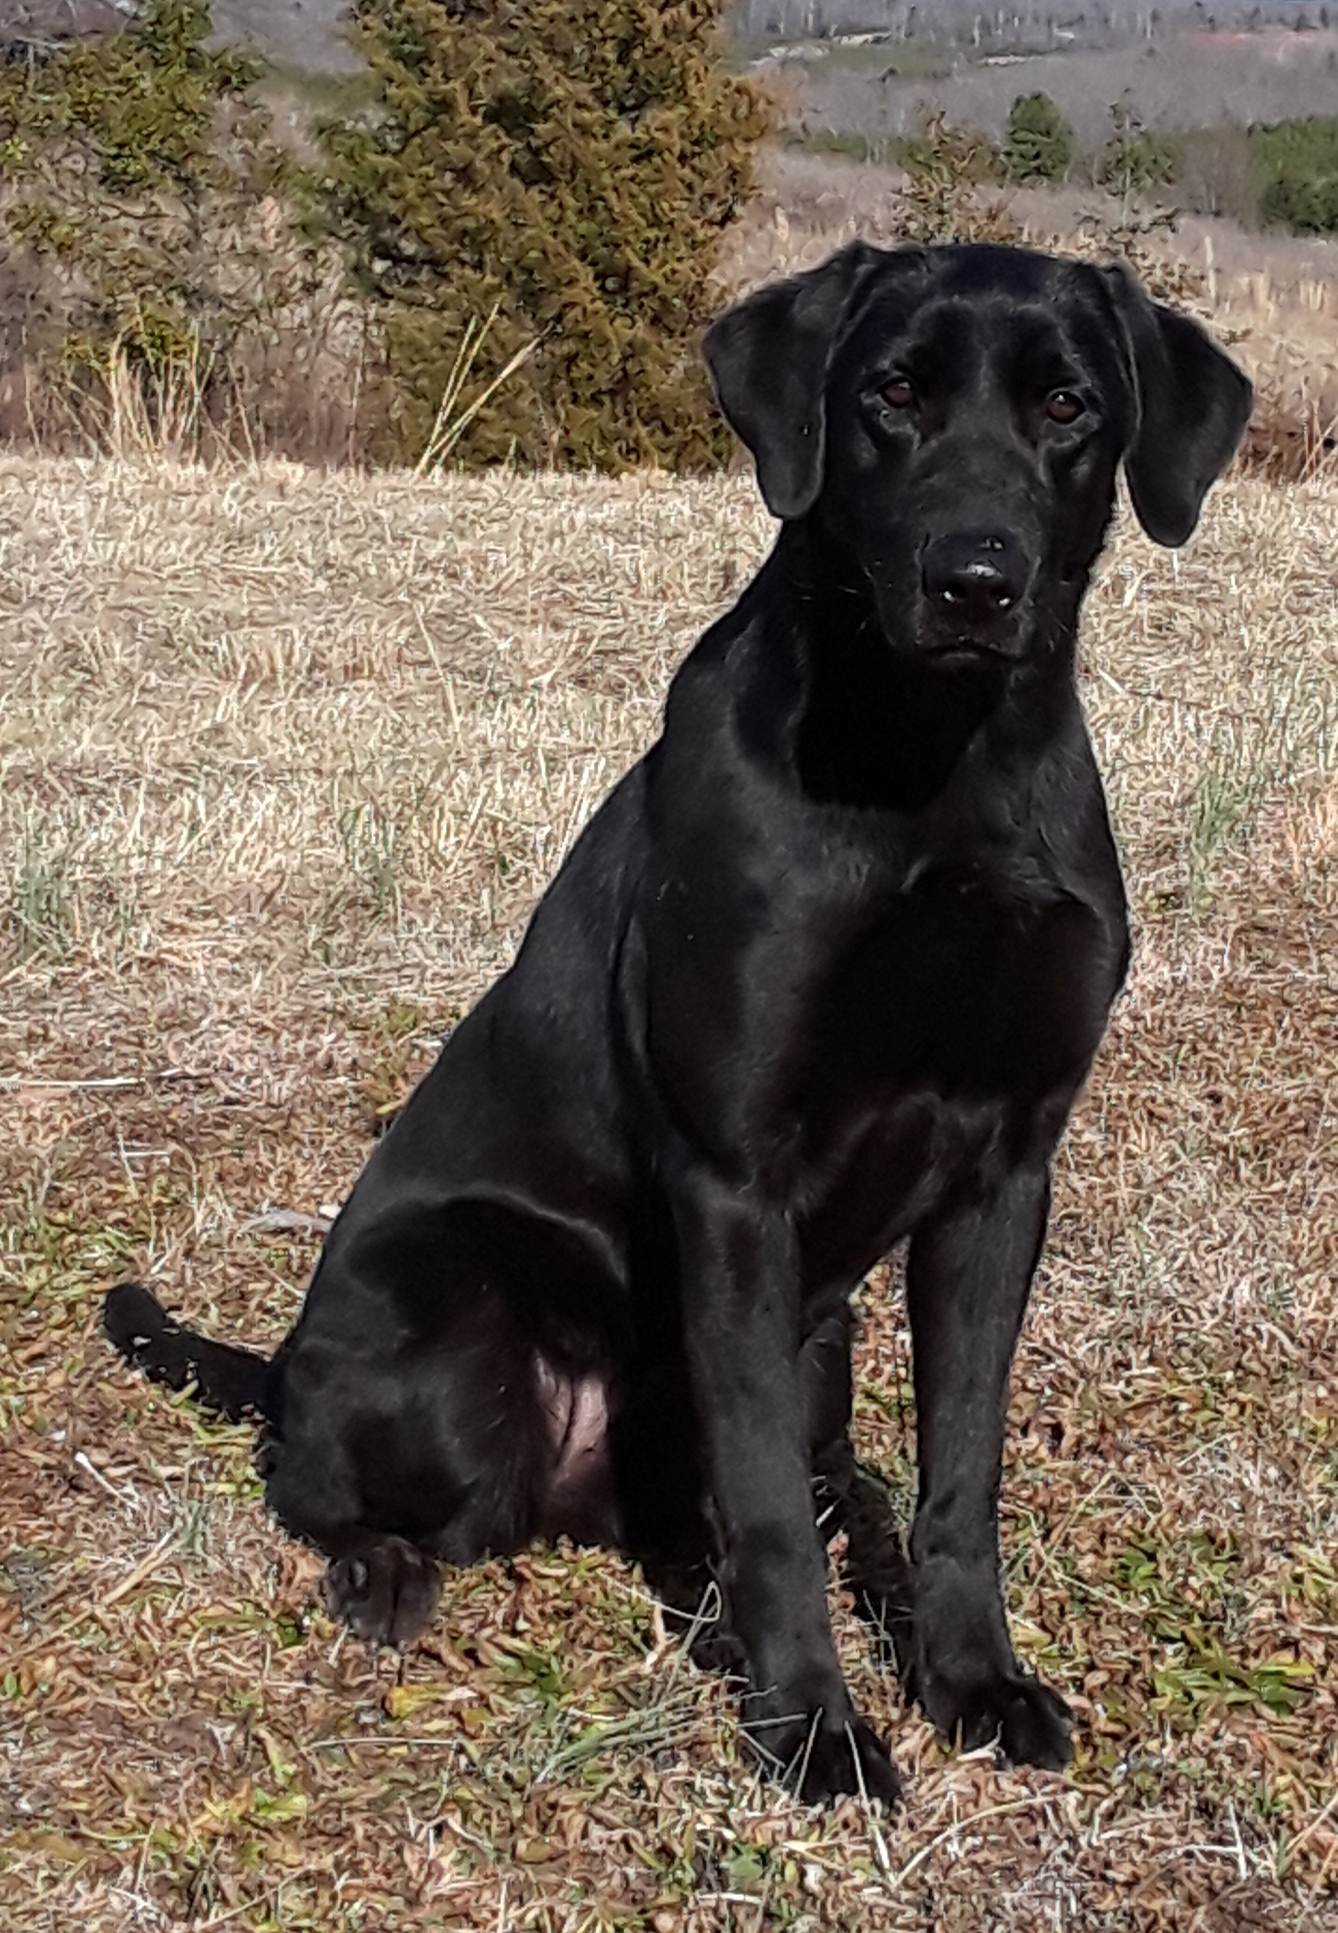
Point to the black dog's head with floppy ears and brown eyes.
(954, 418)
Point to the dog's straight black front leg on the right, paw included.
(968, 1281)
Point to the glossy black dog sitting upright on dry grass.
(827, 971)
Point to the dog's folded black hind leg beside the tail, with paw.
(428, 1416)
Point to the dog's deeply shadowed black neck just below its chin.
(875, 728)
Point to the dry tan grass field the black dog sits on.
(285, 761)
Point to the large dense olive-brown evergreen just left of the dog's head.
(535, 208)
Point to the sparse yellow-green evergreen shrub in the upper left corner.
(144, 196)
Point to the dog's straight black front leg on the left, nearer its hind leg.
(742, 1312)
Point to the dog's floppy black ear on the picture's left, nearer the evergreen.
(769, 361)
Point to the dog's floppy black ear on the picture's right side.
(1194, 405)
